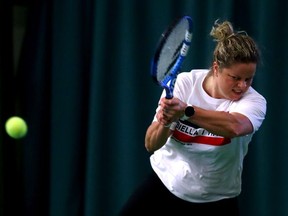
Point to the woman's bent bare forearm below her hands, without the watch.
(156, 136)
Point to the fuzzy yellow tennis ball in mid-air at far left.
(16, 127)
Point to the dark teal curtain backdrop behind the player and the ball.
(78, 72)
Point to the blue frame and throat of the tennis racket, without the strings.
(169, 80)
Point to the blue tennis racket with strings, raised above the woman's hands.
(172, 49)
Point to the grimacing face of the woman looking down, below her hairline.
(233, 82)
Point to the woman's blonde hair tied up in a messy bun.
(232, 47)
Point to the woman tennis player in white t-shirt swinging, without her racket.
(199, 138)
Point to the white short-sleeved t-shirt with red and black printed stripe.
(196, 165)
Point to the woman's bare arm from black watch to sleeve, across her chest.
(222, 123)
